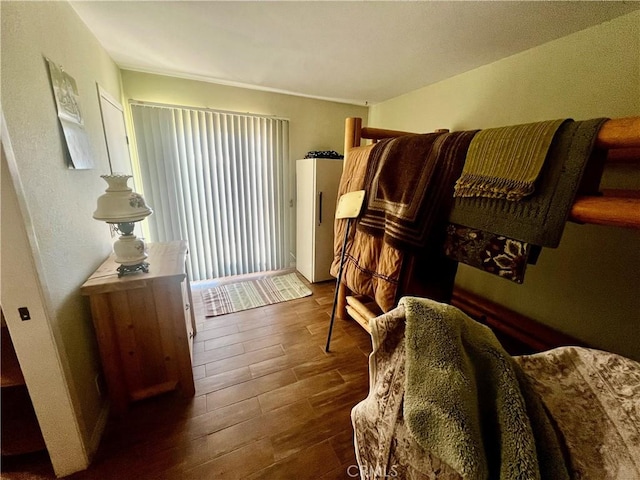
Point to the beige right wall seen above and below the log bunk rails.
(589, 286)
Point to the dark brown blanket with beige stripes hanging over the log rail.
(409, 183)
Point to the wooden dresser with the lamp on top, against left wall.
(144, 325)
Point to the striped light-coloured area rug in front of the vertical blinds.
(236, 297)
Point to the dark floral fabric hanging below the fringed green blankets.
(490, 252)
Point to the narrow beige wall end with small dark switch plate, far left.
(40, 361)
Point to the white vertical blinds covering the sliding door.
(219, 180)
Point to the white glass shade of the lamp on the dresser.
(120, 204)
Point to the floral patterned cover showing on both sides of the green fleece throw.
(592, 396)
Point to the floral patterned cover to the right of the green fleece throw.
(594, 398)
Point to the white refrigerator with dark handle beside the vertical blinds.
(317, 181)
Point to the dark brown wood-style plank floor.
(269, 404)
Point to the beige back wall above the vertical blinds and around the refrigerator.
(313, 124)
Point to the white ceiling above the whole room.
(355, 51)
